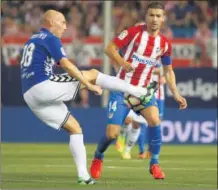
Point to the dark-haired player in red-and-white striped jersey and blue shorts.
(143, 46)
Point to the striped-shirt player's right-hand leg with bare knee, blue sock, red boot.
(154, 140)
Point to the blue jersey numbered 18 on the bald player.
(40, 54)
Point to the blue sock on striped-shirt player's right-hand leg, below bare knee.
(154, 143)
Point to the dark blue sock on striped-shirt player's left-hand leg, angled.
(102, 146)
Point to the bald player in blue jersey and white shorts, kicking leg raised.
(45, 92)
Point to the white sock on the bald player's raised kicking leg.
(116, 84)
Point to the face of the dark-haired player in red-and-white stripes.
(154, 19)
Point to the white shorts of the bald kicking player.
(46, 101)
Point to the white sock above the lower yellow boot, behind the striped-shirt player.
(132, 137)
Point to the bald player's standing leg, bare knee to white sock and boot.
(78, 150)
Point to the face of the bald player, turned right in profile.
(59, 26)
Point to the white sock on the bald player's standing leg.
(78, 151)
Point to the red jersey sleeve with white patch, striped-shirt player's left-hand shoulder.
(125, 37)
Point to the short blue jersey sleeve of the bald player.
(55, 48)
